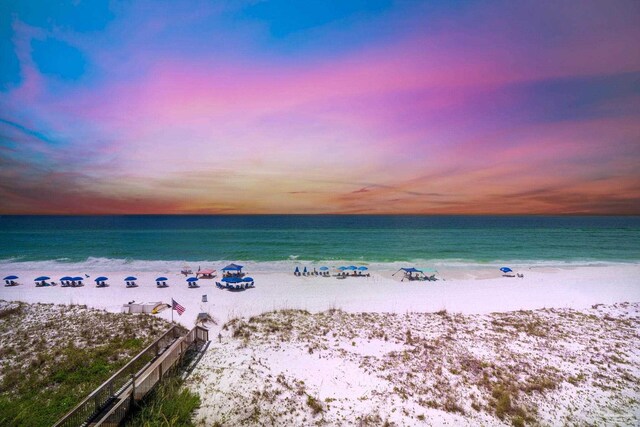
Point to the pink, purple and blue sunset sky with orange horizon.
(320, 107)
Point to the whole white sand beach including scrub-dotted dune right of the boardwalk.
(349, 361)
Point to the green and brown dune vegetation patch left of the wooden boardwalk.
(48, 370)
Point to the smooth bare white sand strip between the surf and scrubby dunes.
(462, 290)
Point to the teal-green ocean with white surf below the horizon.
(140, 242)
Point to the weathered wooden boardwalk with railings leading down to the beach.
(114, 398)
